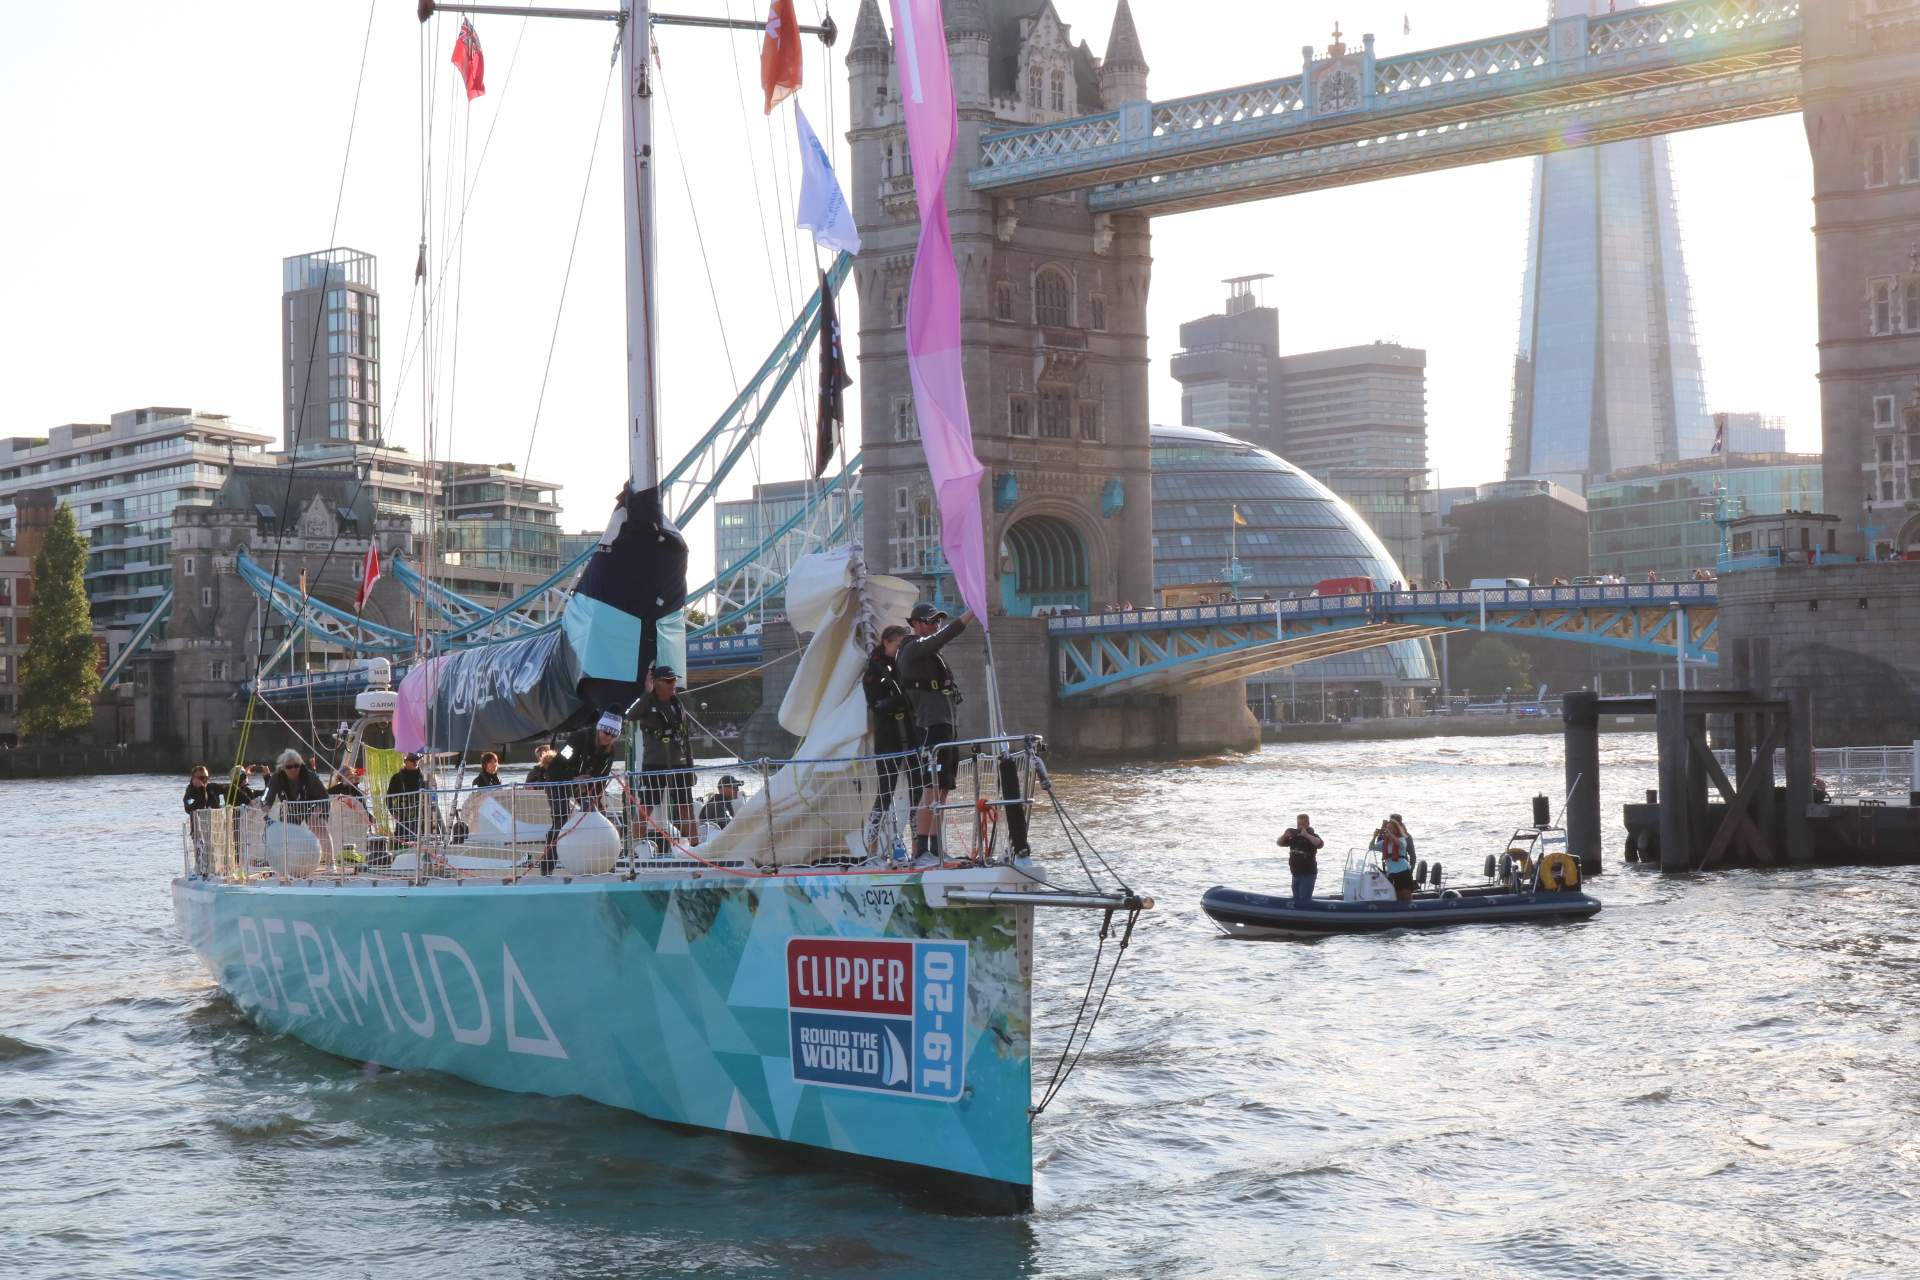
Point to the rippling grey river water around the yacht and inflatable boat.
(1717, 1078)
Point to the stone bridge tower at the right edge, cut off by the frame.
(1863, 126)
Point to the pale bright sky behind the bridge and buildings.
(164, 158)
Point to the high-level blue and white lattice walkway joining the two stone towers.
(1353, 118)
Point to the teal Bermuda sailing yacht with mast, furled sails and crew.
(782, 970)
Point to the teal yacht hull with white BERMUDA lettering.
(838, 1014)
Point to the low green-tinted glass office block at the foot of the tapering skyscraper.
(1652, 519)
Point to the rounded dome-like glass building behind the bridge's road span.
(1297, 536)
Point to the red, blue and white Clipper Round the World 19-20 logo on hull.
(878, 1016)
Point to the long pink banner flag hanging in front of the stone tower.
(934, 300)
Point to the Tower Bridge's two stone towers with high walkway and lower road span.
(1068, 160)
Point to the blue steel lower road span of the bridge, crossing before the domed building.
(1157, 648)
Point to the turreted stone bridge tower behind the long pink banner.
(1053, 321)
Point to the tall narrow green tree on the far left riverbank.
(59, 675)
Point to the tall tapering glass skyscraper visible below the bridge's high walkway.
(1608, 373)
